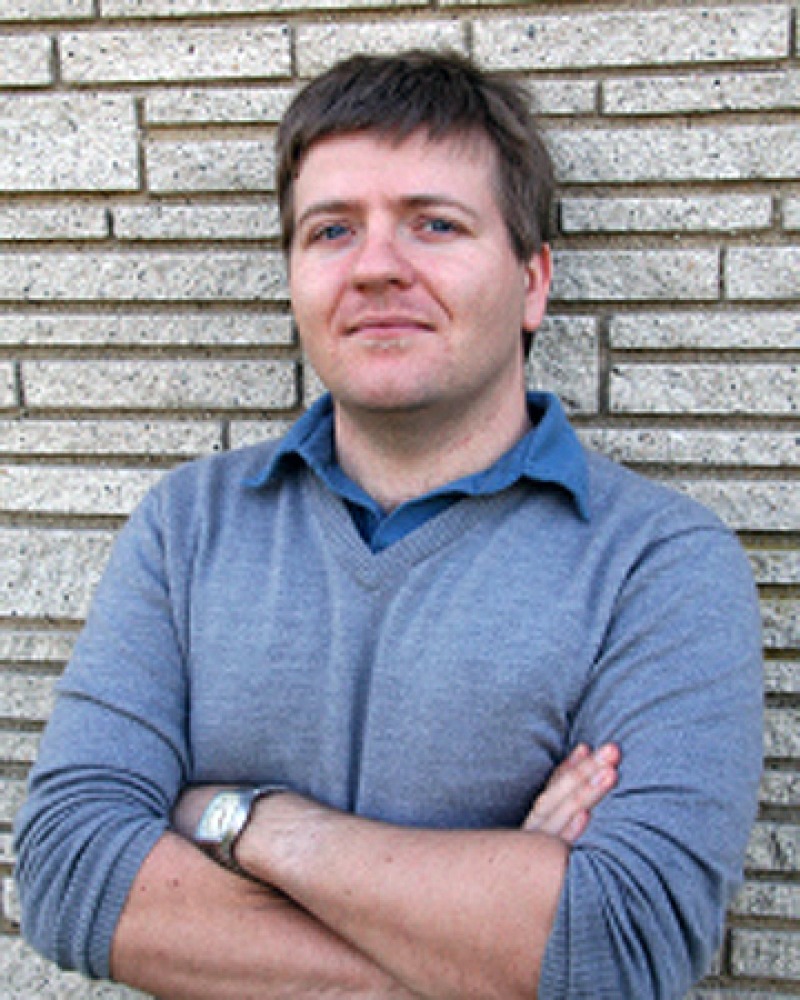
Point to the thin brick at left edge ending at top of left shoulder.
(63, 490)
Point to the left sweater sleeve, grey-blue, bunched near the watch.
(112, 759)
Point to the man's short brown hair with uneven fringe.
(447, 96)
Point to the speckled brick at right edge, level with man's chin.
(765, 389)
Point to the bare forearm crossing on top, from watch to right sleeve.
(448, 913)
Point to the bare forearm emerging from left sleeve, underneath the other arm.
(191, 930)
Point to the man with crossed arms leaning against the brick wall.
(393, 629)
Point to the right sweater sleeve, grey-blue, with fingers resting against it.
(678, 684)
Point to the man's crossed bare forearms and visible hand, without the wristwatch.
(340, 906)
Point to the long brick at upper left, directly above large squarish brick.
(172, 54)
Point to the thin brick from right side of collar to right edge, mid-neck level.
(668, 446)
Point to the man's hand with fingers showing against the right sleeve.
(563, 808)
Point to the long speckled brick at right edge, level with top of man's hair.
(693, 93)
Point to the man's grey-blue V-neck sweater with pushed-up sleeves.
(247, 634)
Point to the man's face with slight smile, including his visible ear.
(405, 288)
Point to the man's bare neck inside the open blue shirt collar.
(396, 457)
